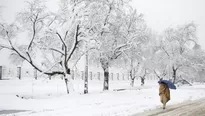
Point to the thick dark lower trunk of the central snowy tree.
(106, 78)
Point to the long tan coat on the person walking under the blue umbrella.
(164, 94)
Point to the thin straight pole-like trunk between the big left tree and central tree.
(86, 72)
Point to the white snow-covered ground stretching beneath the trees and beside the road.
(49, 98)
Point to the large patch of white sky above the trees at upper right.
(161, 14)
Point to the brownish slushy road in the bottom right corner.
(189, 108)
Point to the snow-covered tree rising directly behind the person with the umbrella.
(175, 46)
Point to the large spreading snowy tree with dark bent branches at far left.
(54, 36)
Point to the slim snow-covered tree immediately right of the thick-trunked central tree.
(138, 56)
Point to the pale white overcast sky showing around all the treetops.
(159, 14)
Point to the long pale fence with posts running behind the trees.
(28, 73)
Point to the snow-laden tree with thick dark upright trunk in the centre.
(119, 32)
